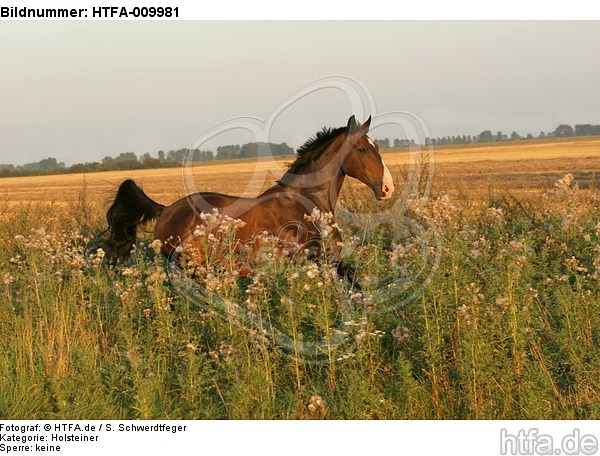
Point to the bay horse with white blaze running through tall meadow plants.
(313, 180)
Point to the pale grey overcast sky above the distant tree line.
(79, 91)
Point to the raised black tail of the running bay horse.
(131, 208)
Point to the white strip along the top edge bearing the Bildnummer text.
(345, 10)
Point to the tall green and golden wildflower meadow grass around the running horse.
(507, 326)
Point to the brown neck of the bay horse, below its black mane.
(320, 181)
